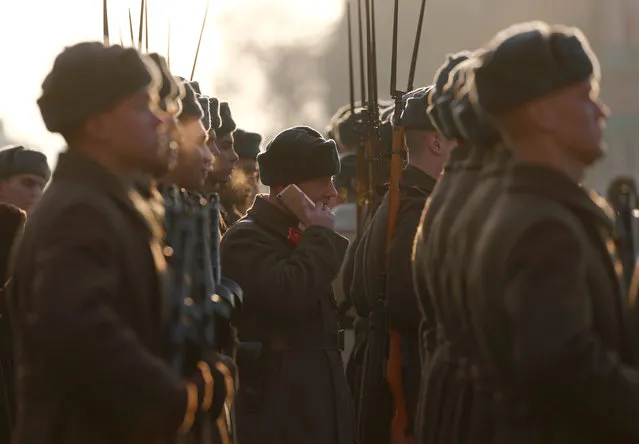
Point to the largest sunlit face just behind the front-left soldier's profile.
(194, 157)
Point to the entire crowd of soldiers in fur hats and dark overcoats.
(151, 294)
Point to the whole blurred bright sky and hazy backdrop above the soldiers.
(284, 62)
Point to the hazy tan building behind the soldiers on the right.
(612, 26)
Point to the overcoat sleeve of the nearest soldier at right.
(556, 355)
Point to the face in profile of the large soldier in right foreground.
(580, 117)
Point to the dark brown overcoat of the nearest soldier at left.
(94, 244)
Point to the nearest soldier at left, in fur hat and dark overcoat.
(90, 319)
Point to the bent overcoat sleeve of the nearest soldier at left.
(89, 345)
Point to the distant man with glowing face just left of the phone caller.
(238, 193)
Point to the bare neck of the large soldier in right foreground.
(546, 151)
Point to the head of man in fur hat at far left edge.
(23, 176)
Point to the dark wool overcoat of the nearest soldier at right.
(553, 234)
